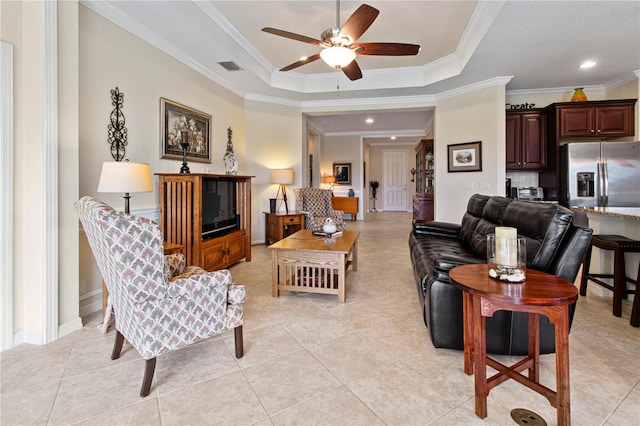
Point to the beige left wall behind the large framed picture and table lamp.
(111, 57)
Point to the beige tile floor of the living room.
(311, 361)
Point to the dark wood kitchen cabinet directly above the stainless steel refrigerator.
(596, 119)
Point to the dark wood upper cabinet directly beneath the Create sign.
(526, 140)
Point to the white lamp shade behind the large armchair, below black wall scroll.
(123, 176)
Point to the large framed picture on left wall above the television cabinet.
(178, 122)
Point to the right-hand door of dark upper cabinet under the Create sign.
(534, 141)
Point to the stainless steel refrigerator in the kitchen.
(600, 174)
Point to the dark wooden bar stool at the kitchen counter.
(619, 245)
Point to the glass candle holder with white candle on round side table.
(507, 258)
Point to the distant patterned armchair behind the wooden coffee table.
(316, 204)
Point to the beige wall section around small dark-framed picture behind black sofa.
(476, 116)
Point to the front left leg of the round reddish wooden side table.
(479, 358)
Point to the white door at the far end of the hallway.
(394, 180)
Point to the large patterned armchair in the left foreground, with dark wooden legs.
(159, 305)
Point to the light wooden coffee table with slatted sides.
(308, 263)
